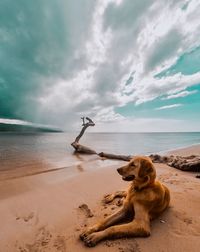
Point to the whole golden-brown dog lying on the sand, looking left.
(145, 200)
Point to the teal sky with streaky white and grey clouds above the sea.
(129, 65)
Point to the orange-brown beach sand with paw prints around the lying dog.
(41, 213)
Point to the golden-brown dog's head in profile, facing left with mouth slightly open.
(140, 169)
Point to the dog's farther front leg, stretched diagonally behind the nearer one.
(107, 222)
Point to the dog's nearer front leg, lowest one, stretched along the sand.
(132, 229)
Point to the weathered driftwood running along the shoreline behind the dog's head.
(189, 163)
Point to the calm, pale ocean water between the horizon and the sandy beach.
(35, 152)
